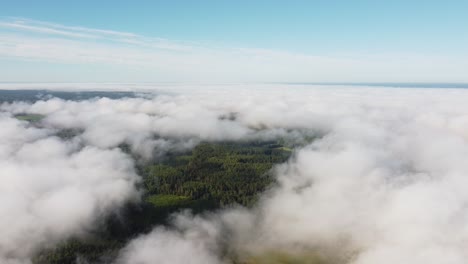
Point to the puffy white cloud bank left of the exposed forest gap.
(53, 189)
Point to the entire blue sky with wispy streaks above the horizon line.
(233, 41)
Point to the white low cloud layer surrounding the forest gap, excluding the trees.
(384, 181)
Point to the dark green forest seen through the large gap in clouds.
(212, 175)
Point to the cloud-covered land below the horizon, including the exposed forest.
(237, 174)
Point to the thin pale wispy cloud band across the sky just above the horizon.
(133, 57)
